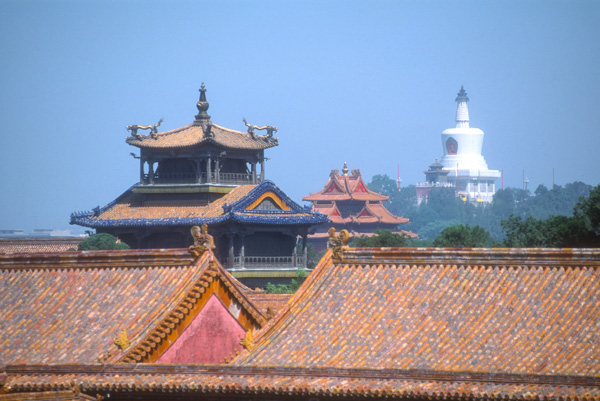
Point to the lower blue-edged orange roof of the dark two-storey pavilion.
(264, 203)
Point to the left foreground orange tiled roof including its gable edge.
(69, 308)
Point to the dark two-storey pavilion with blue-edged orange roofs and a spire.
(204, 173)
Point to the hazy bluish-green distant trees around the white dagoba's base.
(443, 209)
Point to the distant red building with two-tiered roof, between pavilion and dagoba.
(352, 206)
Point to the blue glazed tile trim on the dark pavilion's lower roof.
(236, 212)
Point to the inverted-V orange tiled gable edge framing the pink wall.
(211, 270)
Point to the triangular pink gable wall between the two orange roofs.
(211, 337)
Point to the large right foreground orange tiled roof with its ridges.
(521, 311)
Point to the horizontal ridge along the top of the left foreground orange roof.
(96, 259)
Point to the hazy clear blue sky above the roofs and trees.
(368, 82)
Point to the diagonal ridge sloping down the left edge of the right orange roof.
(282, 316)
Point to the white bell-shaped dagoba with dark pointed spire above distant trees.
(462, 157)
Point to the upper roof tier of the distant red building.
(345, 187)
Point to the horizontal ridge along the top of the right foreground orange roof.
(501, 257)
